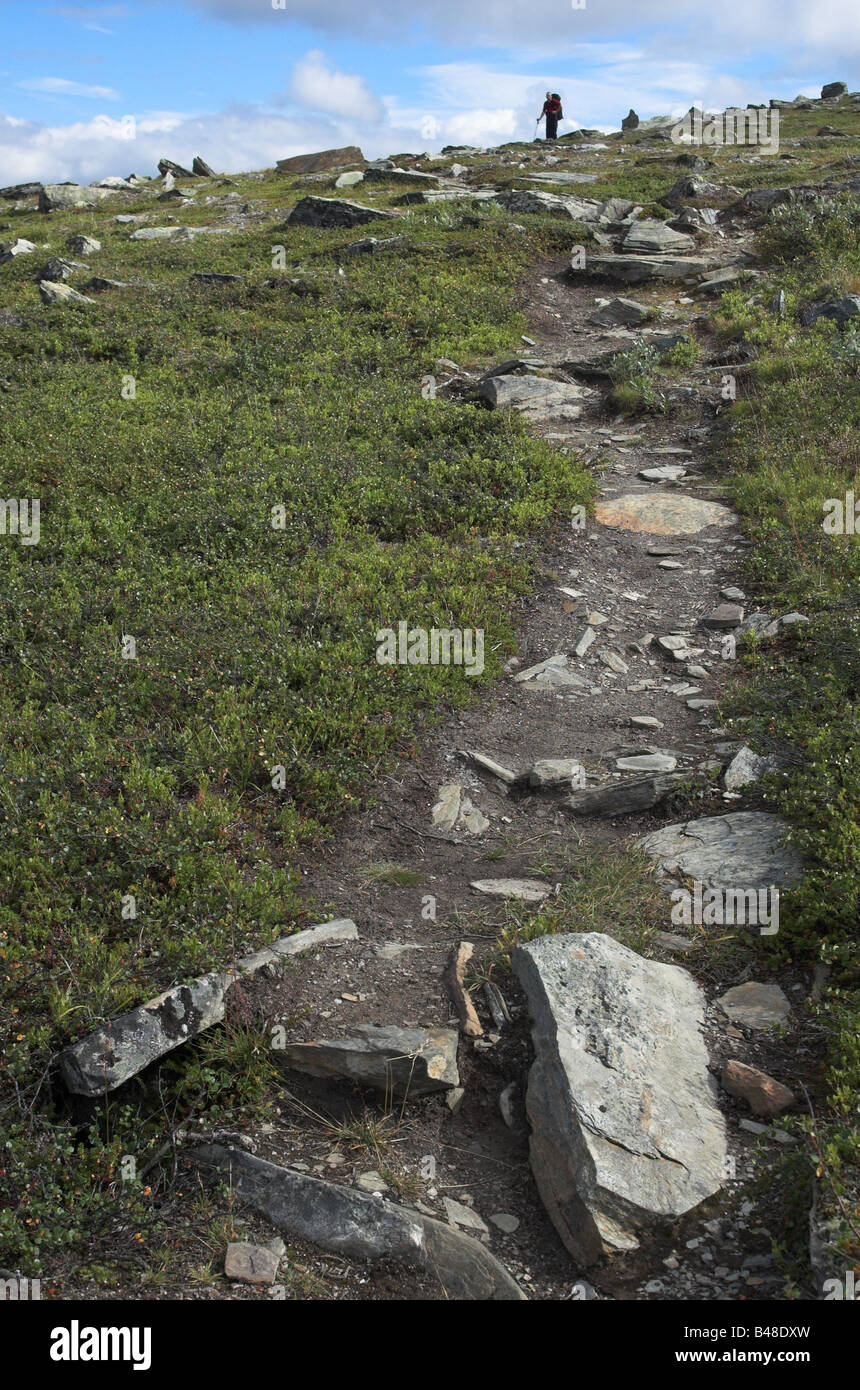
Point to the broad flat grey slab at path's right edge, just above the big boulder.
(743, 850)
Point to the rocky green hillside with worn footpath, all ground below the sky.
(588, 408)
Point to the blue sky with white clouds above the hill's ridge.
(109, 88)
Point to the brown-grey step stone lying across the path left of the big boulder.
(397, 1061)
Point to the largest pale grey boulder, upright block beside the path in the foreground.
(627, 1135)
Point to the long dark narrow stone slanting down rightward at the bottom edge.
(361, 1227)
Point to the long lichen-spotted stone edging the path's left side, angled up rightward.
(130, 1043)
